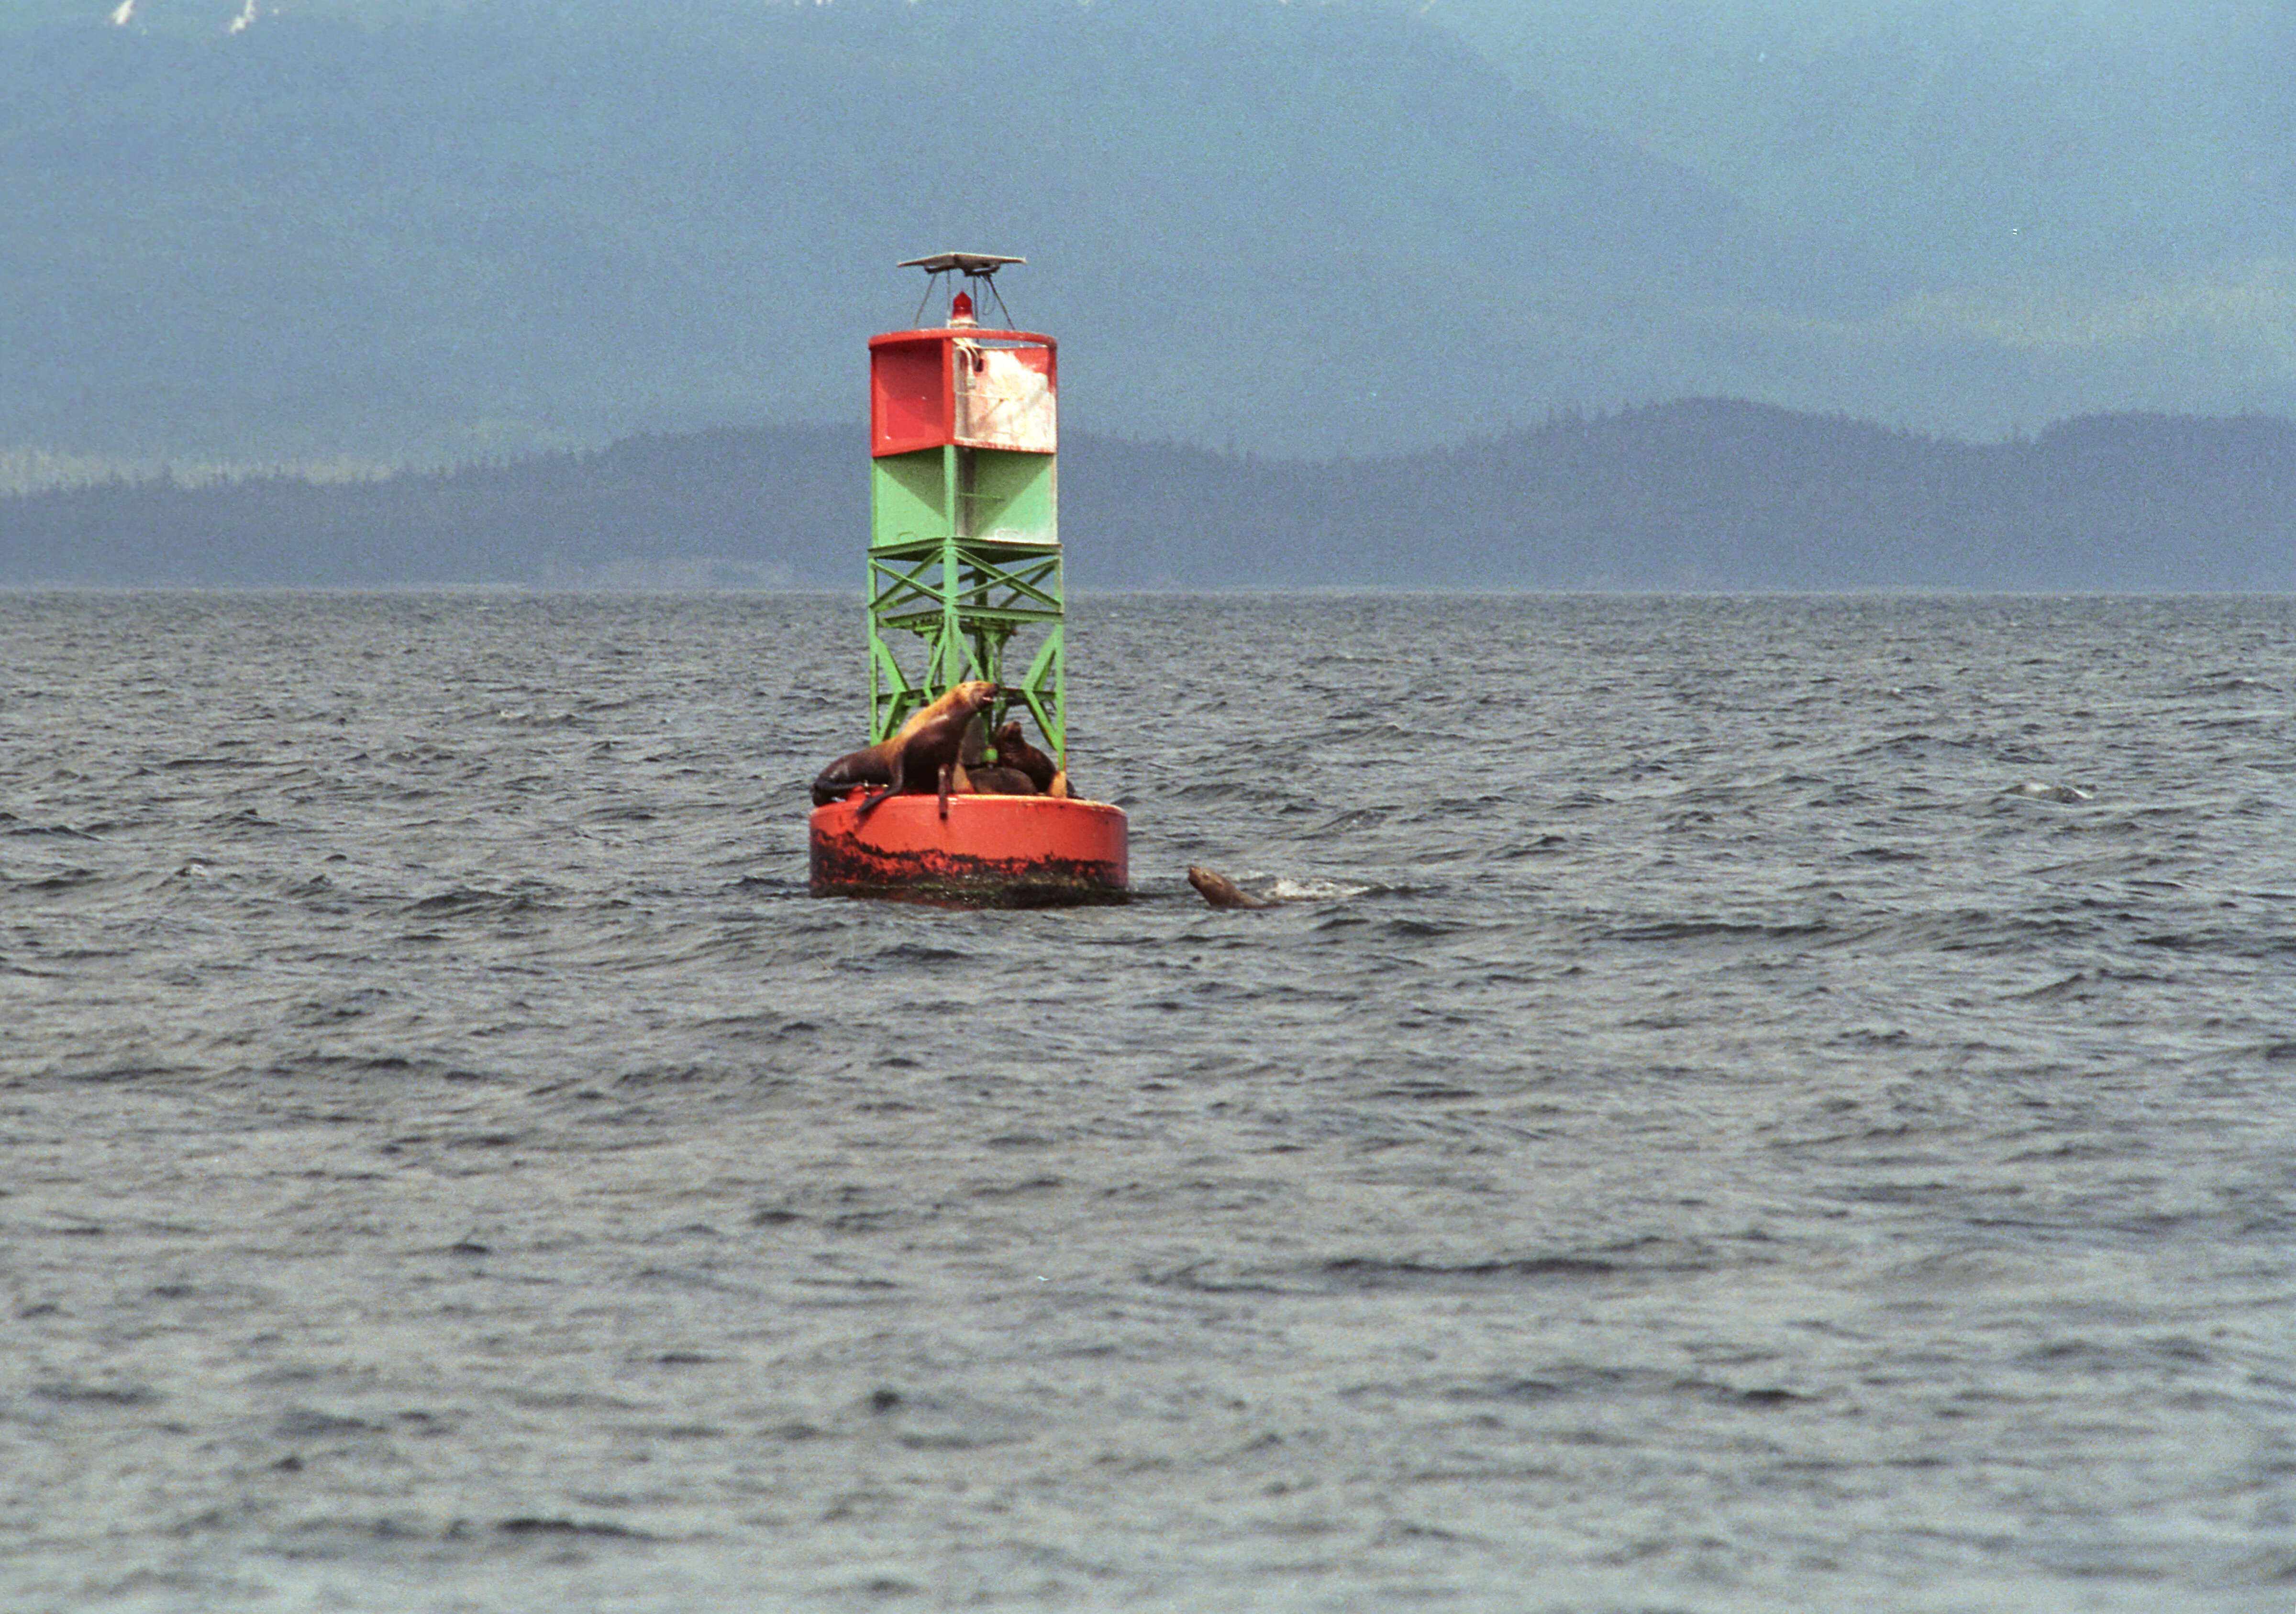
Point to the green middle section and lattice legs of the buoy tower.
(965, 573)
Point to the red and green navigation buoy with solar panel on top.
(965, 582)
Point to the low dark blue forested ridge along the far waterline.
(1707, 495)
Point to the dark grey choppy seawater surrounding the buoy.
(1712, 1142)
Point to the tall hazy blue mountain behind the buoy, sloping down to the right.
(440, 231)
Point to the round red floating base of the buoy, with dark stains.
(988, 853)
